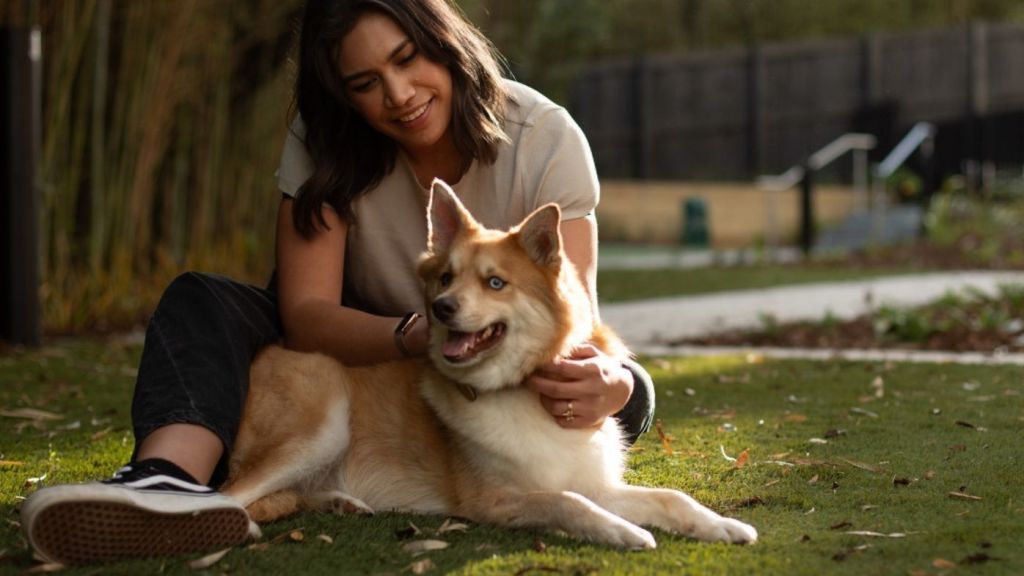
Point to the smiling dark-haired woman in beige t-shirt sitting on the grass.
(391, 95)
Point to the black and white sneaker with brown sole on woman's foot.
(142, 512)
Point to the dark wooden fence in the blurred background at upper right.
(736, 114)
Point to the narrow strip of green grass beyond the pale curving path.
(621, 285)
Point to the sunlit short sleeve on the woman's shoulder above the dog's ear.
(562, 168)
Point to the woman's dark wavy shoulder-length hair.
(349, 156)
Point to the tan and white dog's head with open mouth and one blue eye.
(500, 303)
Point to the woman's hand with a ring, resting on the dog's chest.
(583, 390)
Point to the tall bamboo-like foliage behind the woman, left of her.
(162, 128)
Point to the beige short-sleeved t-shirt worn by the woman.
(547, 160)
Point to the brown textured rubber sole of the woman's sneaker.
(86, 532)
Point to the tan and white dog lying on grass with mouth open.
(457, 433)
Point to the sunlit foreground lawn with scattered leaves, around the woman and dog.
(888, 467)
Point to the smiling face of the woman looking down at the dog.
(399, 91)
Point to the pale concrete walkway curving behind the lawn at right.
(649, 325)
